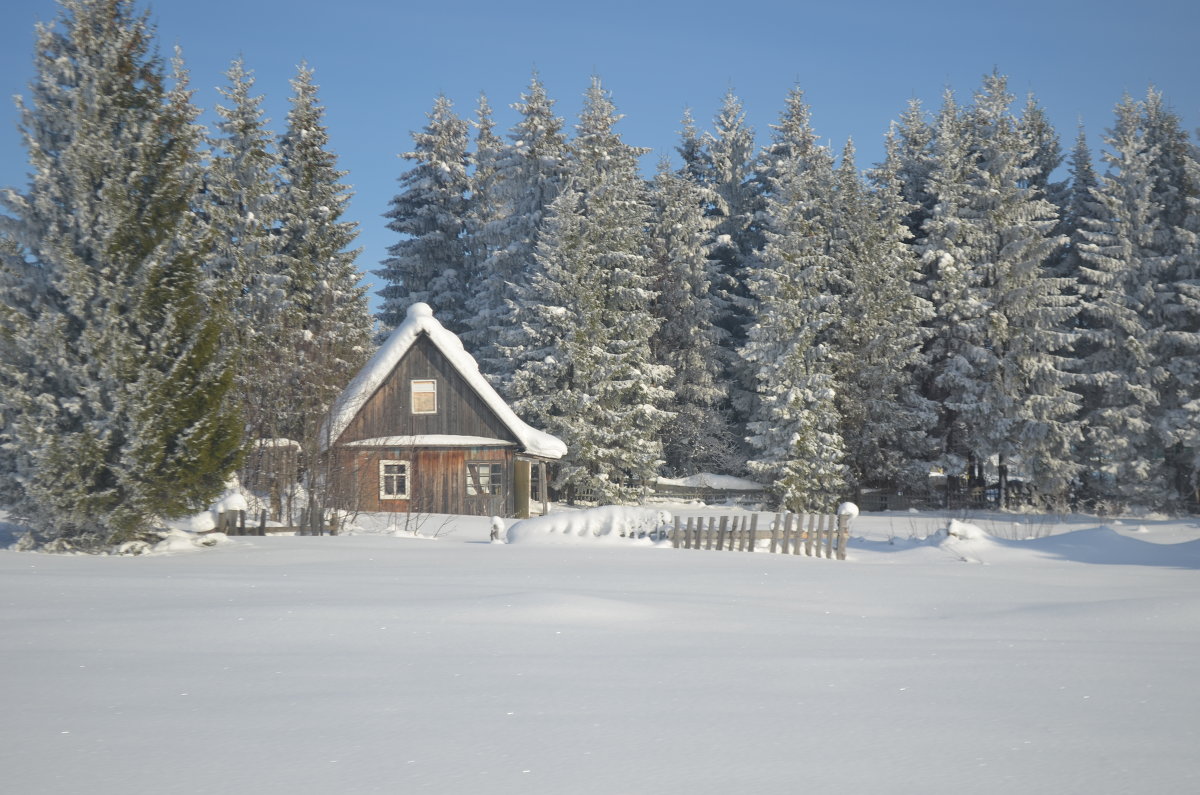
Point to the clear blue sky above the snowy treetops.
(381, 64)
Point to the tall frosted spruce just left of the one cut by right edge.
(1124, 270)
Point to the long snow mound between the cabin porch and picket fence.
(604, 525)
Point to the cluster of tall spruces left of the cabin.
(170, 294)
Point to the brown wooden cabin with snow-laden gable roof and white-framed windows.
(422, 431)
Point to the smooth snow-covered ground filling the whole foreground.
(385, 664)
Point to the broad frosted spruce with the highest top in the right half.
(995, 361)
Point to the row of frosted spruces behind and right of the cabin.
(959, 307)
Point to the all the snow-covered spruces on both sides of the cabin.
(177, 298)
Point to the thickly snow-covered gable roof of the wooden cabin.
(419, 321)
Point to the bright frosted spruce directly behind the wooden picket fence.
(795, 431)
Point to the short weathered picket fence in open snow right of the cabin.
(813, 535)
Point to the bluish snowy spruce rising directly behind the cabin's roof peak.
(429, 264)
